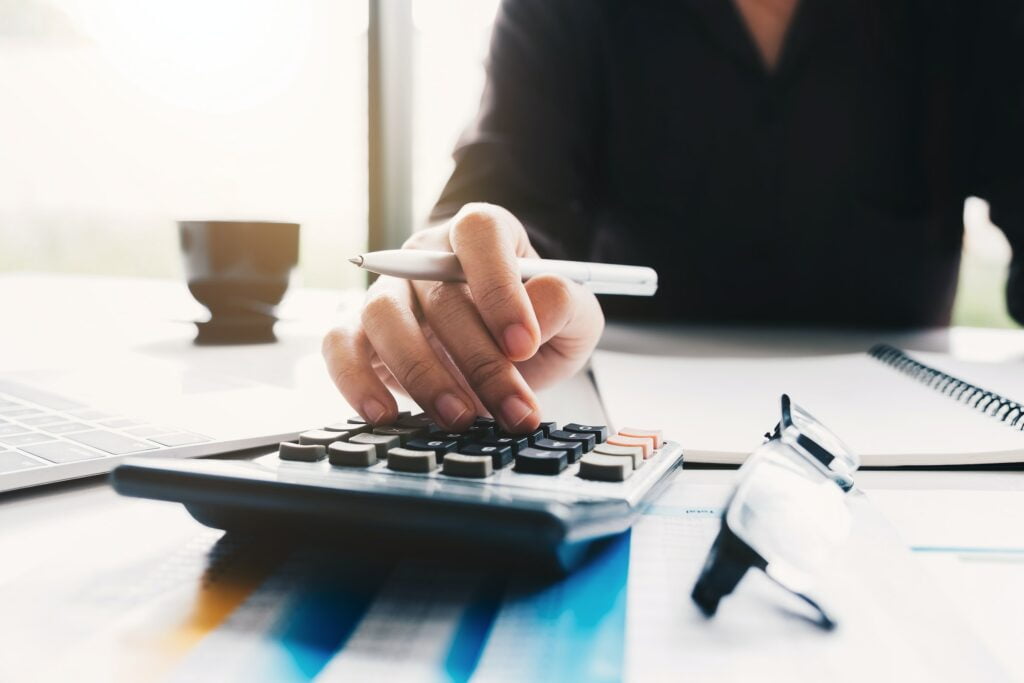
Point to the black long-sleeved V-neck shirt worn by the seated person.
(827, 191)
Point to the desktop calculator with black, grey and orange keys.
(548, 499)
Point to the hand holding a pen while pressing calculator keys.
(463, 350)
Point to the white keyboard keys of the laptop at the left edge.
(38, 429)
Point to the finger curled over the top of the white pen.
(488, 241)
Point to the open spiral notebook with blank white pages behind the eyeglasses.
(892, 408)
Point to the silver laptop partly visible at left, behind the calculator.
(64, 424)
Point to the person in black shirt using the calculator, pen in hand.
(796, 162)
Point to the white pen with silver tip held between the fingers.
(445, 268)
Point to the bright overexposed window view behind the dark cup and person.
(121, 117)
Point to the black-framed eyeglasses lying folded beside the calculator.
(788, 514)
